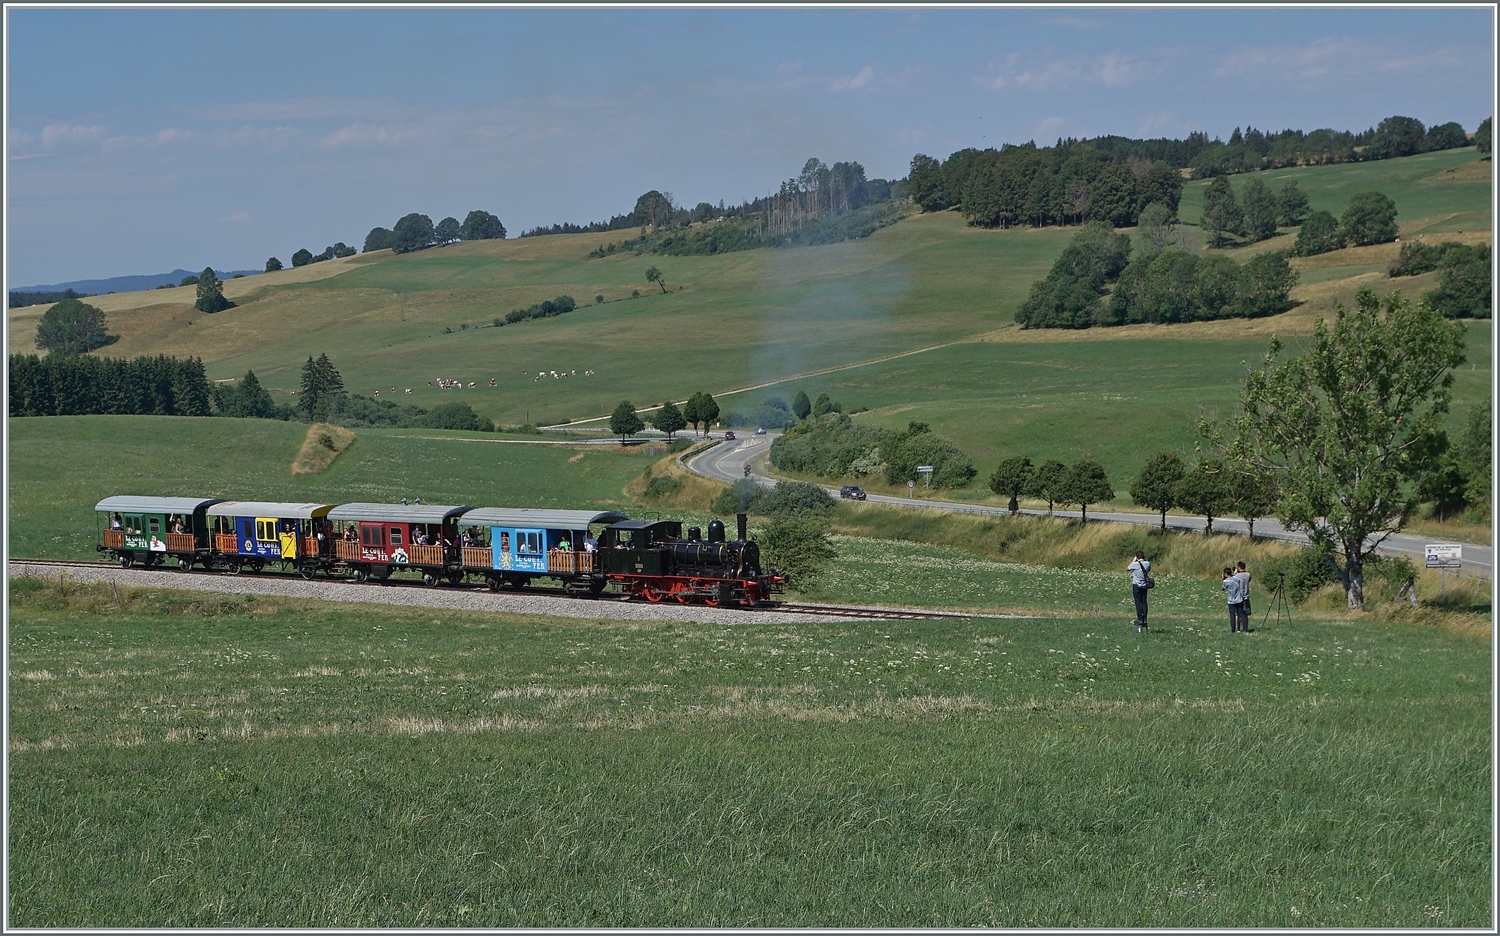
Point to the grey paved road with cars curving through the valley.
(727, 463)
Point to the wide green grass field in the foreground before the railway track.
(215, 761)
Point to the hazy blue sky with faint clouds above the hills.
(146, 140)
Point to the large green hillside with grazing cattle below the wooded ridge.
(829, 319)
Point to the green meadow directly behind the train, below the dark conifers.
(61, 467)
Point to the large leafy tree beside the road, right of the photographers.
(1342, 427)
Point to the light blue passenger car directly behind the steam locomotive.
(515, 547)
